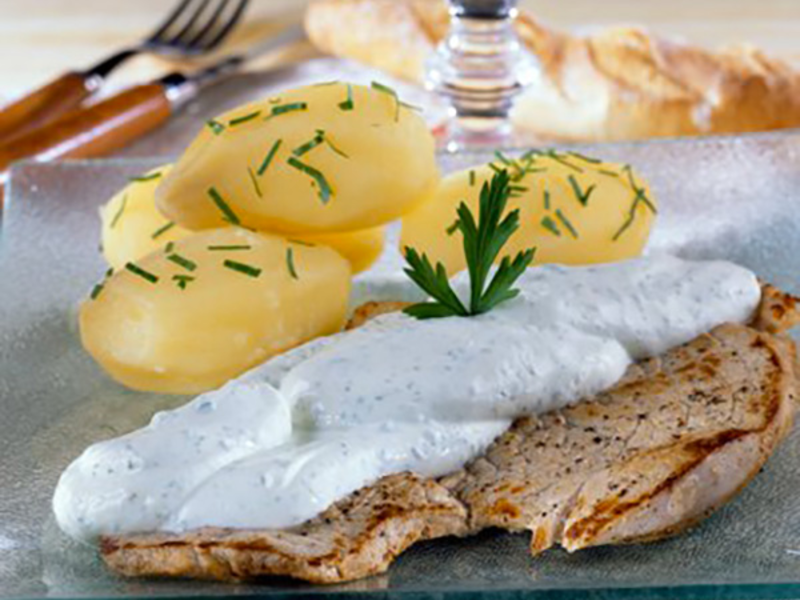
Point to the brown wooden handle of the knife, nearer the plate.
(93, 131)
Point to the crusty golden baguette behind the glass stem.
(622, 83)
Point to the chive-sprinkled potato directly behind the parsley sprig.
(574, 210)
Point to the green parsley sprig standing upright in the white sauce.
(483, 242)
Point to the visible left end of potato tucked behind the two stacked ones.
(132, 227)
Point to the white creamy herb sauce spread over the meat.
(284, 441)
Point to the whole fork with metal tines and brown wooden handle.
(193, 28)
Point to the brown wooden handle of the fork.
(44, 105)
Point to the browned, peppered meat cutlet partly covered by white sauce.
(677, 437)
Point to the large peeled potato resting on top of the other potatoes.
(318, 159)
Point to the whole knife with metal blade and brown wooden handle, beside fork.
(120, 119)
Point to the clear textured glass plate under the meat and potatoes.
(733, 197)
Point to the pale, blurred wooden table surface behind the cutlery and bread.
(41, 38)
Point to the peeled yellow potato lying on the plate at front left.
(217, 303)
